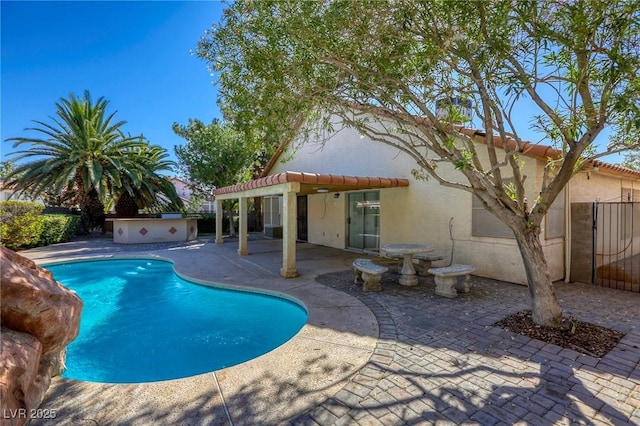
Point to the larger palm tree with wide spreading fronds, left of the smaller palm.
(84, 152)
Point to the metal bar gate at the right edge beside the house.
(616, 245)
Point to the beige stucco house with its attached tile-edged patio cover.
(343, 190)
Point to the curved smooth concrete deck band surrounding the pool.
(337, 340)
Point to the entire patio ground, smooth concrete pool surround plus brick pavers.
(401, 356)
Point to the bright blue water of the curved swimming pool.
(142, 323)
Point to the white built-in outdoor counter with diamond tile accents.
(154, 230)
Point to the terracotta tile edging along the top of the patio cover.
(339, 182)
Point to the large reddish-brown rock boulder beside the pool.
(39, 317)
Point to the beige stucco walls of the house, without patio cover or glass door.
(419, 213)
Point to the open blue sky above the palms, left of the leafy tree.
(135, 54)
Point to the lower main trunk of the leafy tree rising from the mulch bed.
(544, 304)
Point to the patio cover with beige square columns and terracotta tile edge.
(290, 185)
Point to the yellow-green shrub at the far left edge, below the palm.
(20, 224)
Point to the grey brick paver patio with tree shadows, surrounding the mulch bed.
(442, 359)
